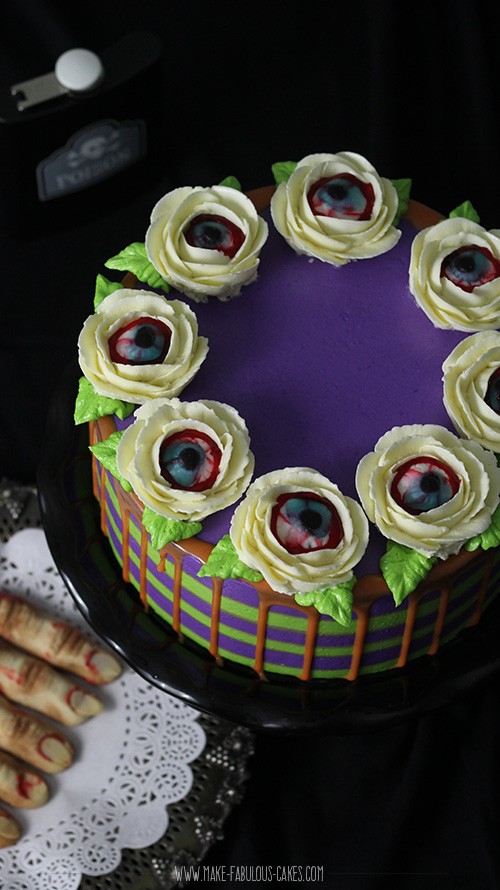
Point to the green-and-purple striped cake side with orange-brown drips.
(269, 632)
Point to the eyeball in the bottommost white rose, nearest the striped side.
(304, 521)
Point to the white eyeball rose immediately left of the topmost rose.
(206, 241)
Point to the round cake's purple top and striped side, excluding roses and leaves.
(320, 362)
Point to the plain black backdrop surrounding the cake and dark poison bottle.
(415, 90)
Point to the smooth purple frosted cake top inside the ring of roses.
(322, 361)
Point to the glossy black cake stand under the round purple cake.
(85, 561)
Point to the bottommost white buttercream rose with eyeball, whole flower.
(297, 529)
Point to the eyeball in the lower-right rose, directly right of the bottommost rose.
(422, 484)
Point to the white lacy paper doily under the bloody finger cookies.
(131, 761)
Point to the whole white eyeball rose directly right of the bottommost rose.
(425, 488)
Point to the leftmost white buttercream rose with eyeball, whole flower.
(140, 346)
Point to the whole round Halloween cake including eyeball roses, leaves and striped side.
(285, 581)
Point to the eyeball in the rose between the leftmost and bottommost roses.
(190, 460)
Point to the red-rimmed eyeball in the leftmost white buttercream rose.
(144, 341)
